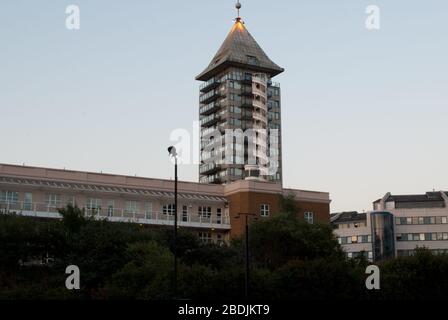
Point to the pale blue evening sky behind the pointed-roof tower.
(365, 112)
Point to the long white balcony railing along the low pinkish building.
(44, 210)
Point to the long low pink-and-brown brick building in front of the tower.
(211, 210)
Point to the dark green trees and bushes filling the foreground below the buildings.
(290, 260)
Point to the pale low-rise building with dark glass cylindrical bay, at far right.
(408, 222)
